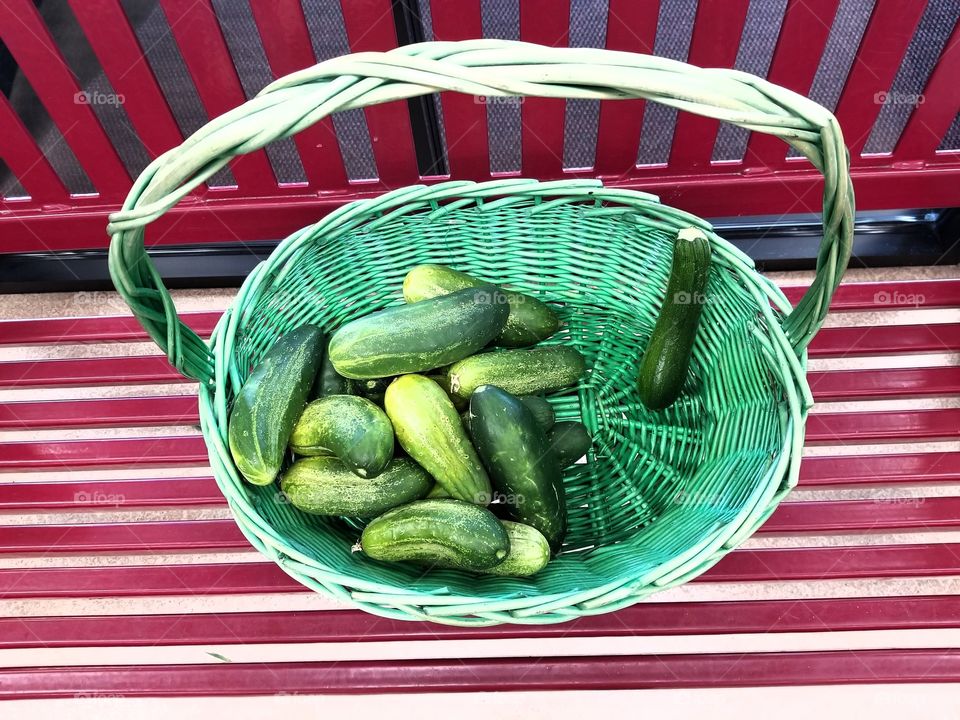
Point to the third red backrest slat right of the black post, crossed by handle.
(631, 27)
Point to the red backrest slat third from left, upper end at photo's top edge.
(124, 62)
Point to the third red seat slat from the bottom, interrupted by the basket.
(763, 565)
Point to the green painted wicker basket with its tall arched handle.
(665, 494)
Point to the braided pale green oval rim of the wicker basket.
(373, 597)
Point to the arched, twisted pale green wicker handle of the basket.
(477, 67)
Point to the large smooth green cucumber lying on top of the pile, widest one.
(413, 338)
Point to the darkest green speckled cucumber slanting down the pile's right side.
(516, 454)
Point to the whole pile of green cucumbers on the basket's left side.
(427, 421)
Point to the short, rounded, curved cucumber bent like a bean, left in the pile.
(349, 427)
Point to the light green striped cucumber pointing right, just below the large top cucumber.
(519, 372)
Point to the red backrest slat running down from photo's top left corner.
(37, 56)
